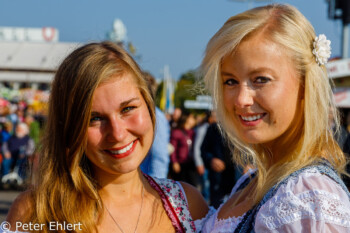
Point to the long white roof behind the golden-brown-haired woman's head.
(32, 61)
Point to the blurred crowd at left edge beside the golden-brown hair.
(20, 127)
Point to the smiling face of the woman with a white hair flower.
(260, 90)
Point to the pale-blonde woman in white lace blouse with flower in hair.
(265, 69)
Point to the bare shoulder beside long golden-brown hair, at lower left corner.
(21, 208)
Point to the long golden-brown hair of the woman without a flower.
(64, 188)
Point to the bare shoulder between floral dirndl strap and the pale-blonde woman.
(196, 203)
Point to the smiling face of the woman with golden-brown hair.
(120, 131)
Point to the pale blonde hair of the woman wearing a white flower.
(309, 138)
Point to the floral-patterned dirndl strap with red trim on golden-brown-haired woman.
(178, 204)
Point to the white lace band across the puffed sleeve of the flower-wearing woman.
(314, 204)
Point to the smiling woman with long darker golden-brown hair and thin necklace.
(100, 127)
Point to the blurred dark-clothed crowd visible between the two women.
(200, 156)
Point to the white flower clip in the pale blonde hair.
(322, 49)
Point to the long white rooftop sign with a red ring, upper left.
(45, 34)
